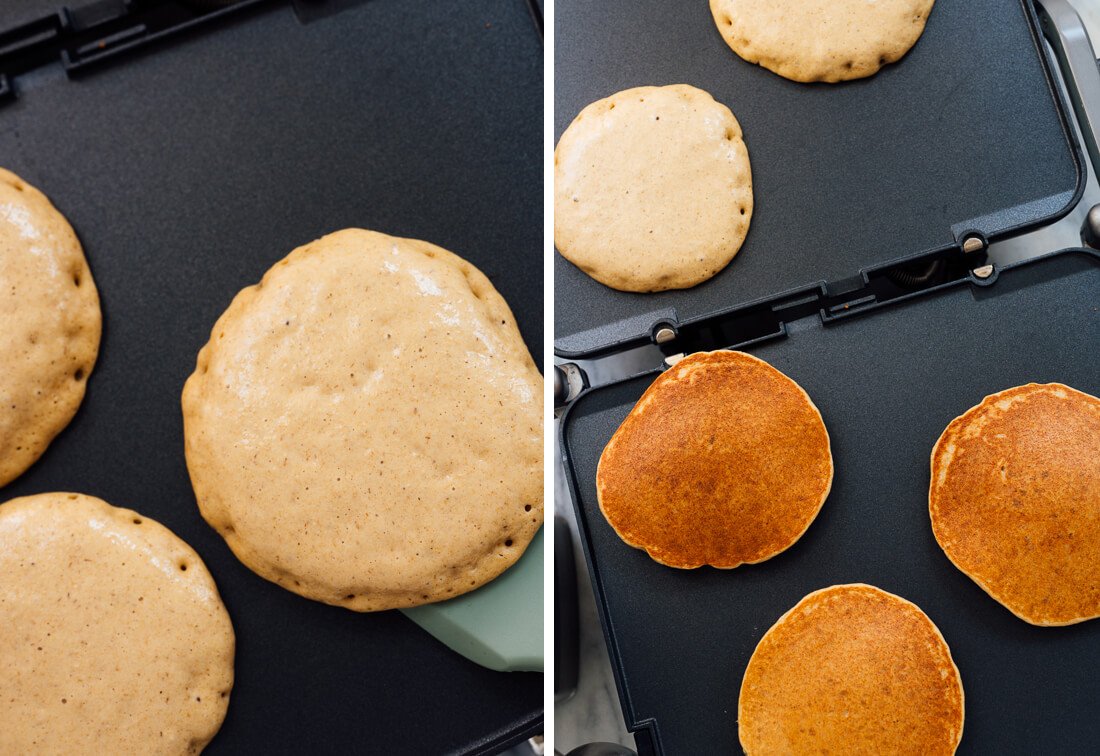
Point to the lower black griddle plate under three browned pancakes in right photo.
(887, 386)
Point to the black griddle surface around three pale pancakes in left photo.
(191, 170)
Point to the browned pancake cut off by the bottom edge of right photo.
(852, 670)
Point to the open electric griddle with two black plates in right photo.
(866, 279)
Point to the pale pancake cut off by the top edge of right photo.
(821, 40)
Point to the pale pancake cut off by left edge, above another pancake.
(51, 319)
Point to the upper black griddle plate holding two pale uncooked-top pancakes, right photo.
(963, 133)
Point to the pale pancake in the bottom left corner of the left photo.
(115, 639)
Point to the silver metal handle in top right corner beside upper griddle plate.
(1068, 36)
